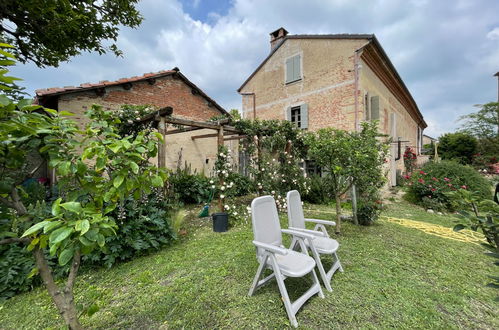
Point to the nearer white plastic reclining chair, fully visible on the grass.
(271, 254)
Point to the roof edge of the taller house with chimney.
(372, 40)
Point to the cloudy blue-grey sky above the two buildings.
(446, 51)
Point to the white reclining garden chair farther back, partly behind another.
(322, 243)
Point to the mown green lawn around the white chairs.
(396, 275)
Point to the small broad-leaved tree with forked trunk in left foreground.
(96, 169)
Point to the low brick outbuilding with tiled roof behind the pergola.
(165, 88)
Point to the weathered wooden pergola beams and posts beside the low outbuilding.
(162, 117)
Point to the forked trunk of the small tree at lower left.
(63, 299)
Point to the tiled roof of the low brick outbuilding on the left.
(56, 91)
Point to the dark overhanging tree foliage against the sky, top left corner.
(50, 31)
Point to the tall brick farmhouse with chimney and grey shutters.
(336, 80)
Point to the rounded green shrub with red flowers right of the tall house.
(429, 186)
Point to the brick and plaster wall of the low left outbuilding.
(167, 91)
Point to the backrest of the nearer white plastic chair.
(266, 226)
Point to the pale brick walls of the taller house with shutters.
(328, 88)
